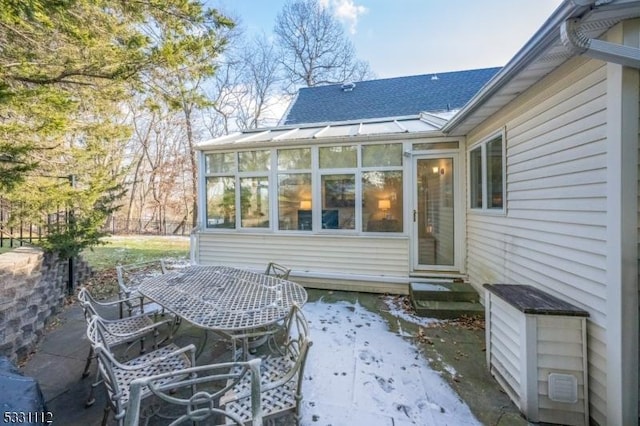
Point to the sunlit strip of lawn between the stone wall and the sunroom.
(135, 249)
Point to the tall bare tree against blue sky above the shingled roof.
(314, 47)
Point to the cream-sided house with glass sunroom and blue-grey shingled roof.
(532, 179)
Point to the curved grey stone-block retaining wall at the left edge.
(33, 285)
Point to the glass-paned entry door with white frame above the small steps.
(436, 220)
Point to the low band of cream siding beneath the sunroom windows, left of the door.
(377, 259)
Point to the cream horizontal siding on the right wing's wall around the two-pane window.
(554, 232)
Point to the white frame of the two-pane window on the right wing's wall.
(482, 145)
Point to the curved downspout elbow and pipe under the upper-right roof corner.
(575, 40)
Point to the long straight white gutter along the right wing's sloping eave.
(540, 41)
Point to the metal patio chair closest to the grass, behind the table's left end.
(129, 278)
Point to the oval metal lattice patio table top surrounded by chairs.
(222, 299)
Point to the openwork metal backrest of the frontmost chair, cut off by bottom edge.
(197, 398)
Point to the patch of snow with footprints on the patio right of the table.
(360, 373)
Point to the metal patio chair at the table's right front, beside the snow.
(281, 374)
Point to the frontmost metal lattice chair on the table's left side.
(118, 376)
